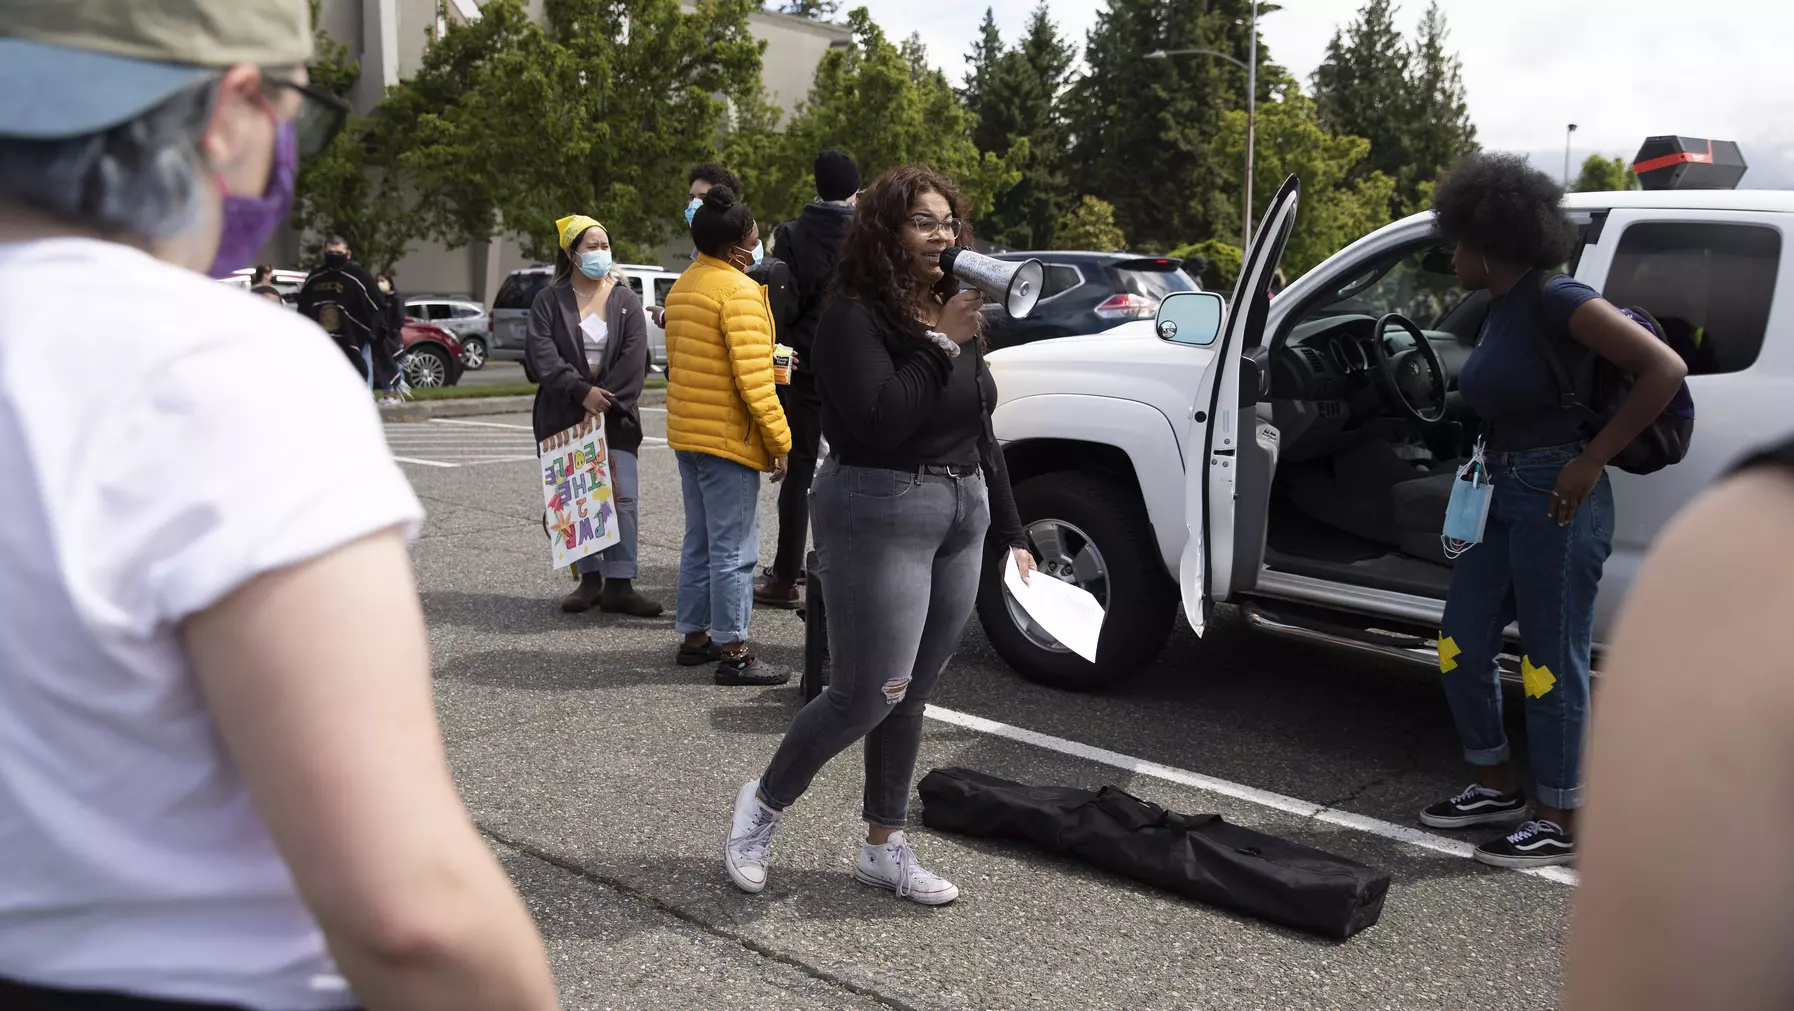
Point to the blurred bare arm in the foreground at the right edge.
(1687, 892)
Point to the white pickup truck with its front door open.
(1275, 456)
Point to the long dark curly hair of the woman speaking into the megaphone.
(875, 266)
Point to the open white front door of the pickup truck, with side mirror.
(1215, 415)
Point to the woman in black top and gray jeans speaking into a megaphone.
(901, 512)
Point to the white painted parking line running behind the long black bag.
(1237, 791)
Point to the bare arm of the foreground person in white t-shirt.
(336, 738)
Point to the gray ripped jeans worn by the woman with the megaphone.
(900, 558)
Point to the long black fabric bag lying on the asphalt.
(1196, 856)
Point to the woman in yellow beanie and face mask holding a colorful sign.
(588, 343)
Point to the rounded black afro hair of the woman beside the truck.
(1504, 209)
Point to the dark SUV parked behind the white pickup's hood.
(1086, 293)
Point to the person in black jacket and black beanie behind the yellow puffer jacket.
(810, 245)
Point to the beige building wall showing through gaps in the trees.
(390, 39)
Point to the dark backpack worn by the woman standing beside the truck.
(1666, 440)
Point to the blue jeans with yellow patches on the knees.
(1546, 576)
